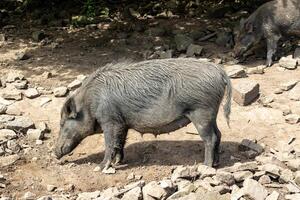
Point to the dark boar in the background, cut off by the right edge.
(270, 22)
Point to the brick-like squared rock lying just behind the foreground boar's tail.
(245, 92)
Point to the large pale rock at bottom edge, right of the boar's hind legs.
(254, 189)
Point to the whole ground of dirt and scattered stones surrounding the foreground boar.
(40, 66)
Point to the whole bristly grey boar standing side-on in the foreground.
(155, 96)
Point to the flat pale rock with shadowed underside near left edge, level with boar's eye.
(20, 123)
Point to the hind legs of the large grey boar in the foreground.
(204, 122)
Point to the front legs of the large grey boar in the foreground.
(114, 136)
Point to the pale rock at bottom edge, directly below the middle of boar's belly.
(153, 191)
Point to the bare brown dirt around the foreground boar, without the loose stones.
(81, 51)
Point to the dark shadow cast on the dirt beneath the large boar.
(168, 153)
